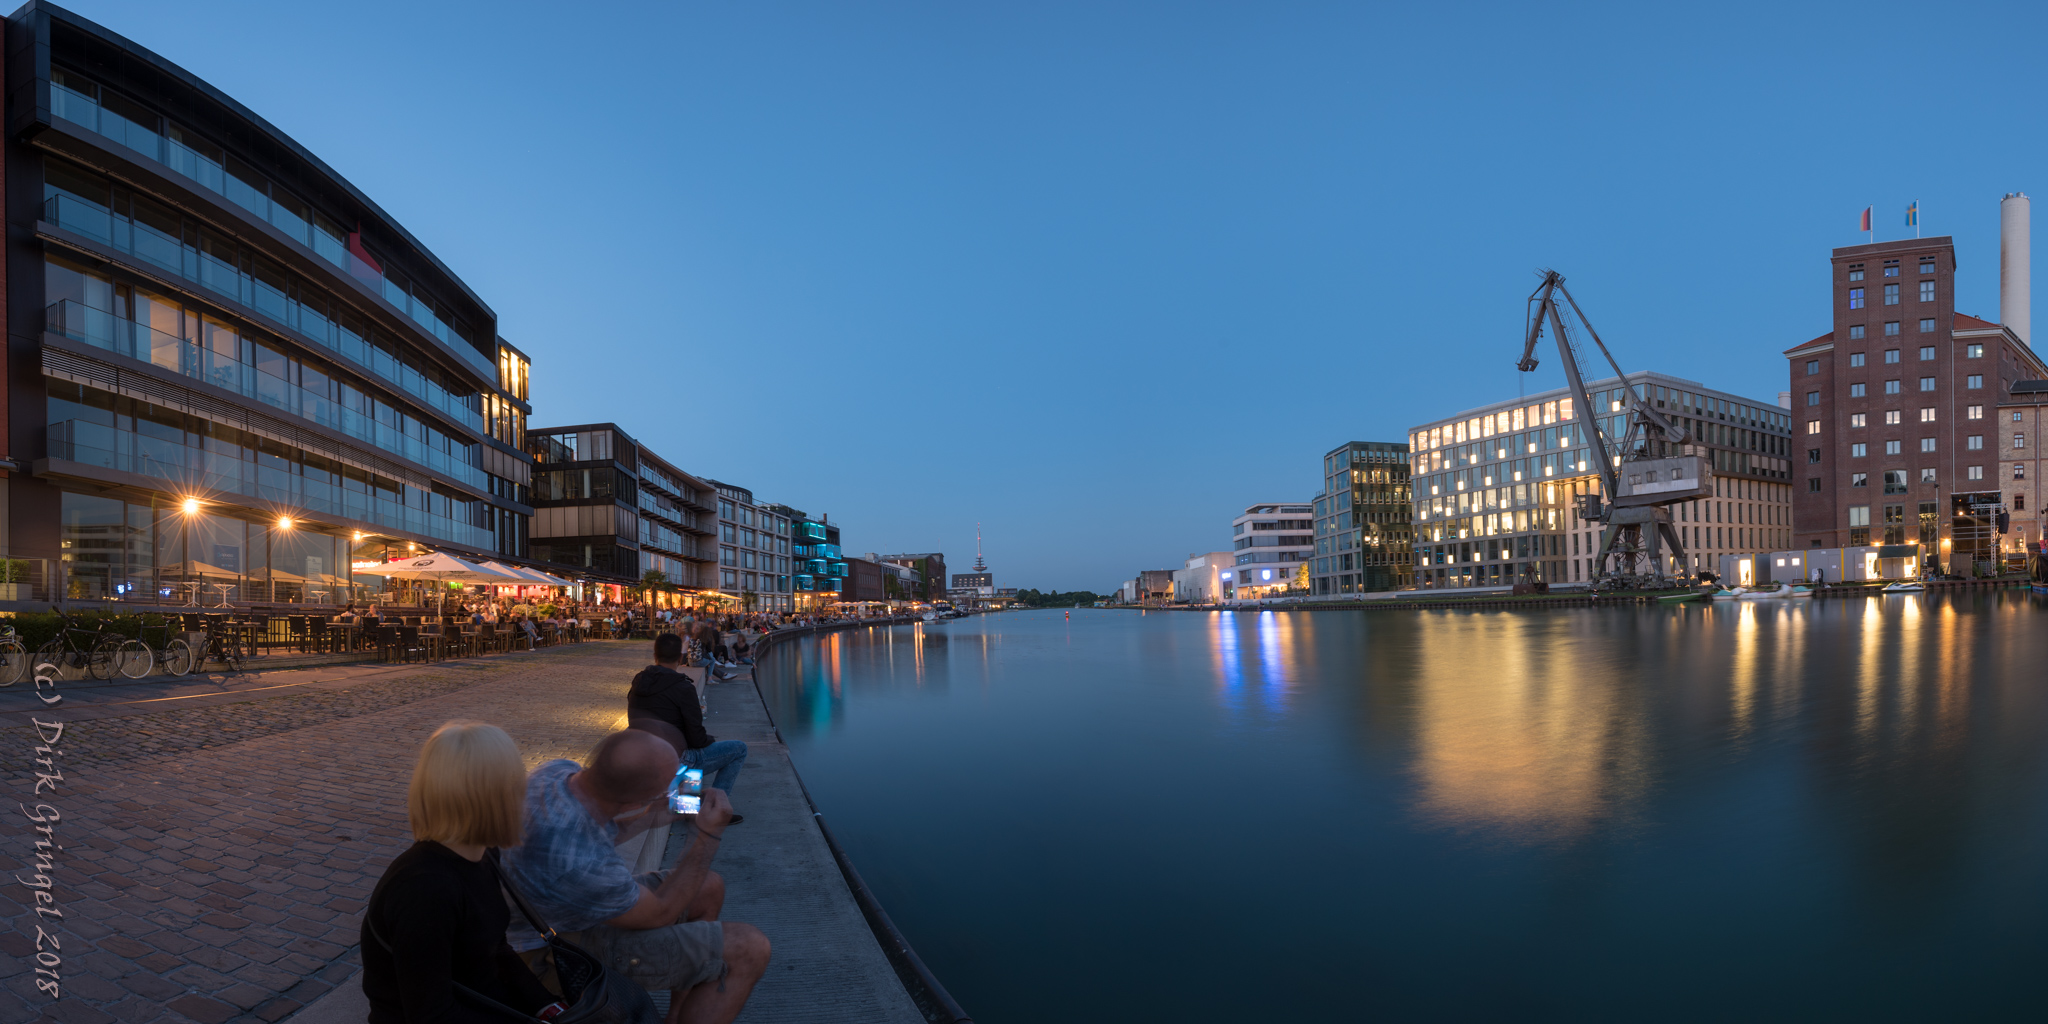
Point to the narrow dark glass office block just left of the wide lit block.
(1365, 521)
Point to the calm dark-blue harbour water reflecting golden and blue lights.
(1756, 810)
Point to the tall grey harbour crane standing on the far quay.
(1641, 476)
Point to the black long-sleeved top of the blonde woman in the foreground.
(445, 923)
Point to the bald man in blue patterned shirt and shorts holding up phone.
(663, 929)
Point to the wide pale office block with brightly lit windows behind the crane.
(1496, 486)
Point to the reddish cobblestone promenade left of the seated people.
(216, 859)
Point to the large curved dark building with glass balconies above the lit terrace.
(228, 368)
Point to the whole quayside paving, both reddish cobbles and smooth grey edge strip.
(220, 843)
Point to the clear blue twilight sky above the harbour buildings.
(1099, 275)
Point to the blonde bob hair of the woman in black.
(470, 787)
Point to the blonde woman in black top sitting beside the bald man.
(437, 921)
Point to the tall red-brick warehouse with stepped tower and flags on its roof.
(1895, 437)
